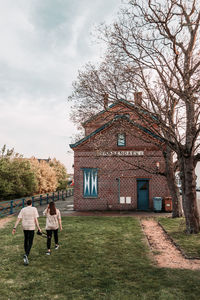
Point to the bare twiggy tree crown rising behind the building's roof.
(94, 83)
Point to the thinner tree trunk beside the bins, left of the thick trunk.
(171, 181)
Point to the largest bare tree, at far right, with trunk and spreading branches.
(161, 40)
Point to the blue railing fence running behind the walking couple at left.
(13, 206)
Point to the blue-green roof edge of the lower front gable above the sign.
(106, 125)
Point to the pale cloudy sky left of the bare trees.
(43, 44)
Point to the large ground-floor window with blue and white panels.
(90, 182)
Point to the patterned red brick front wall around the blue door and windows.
(124, 167)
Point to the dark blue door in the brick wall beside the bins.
(143, 194)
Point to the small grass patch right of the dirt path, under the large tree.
(189, 243)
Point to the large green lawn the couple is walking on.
(98, 258)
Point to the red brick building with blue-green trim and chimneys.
(116, 161)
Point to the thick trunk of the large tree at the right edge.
(188, 179)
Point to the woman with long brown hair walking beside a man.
(53, 222)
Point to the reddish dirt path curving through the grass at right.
(165, 253)
